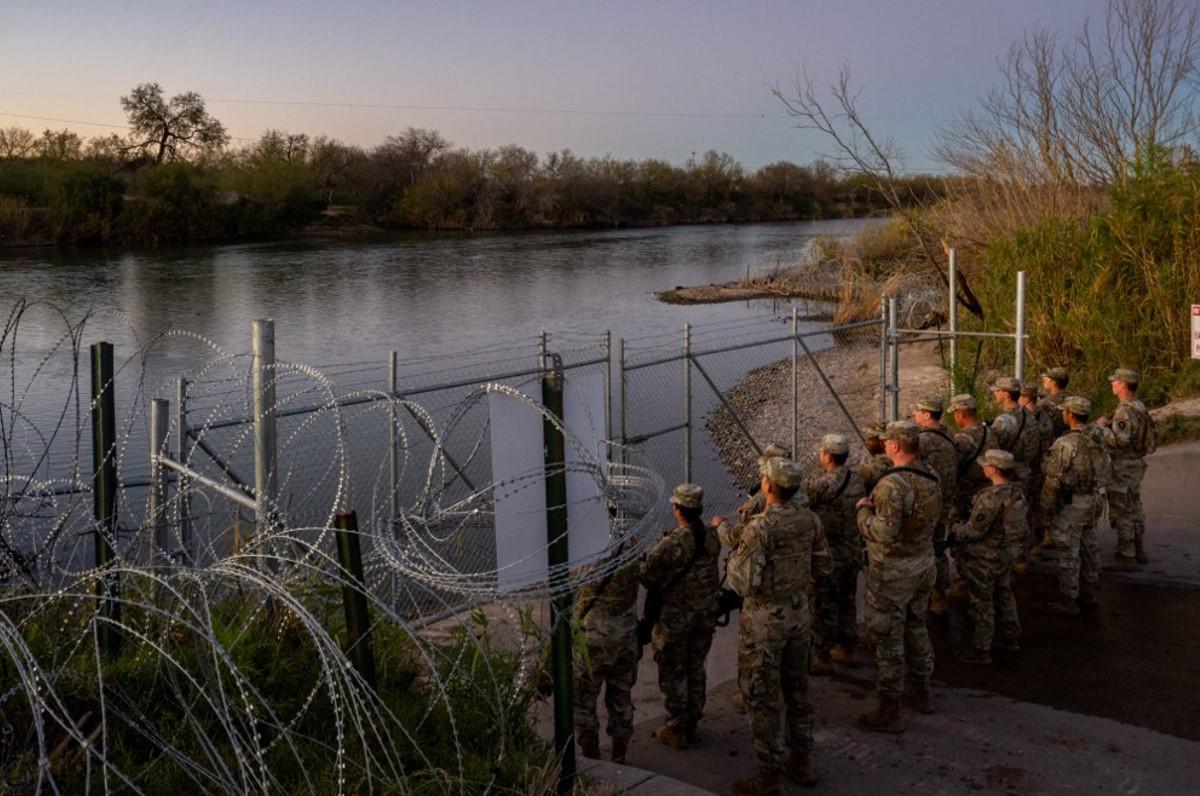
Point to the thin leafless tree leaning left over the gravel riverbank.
(859, 151)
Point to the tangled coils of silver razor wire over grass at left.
(193, 702)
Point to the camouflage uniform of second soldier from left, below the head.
(685, 632)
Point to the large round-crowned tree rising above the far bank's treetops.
(170, 130)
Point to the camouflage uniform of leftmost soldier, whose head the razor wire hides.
(609, 620)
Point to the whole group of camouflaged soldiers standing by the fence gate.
(991, 498)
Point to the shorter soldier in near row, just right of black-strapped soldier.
(992, 538)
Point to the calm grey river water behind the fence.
(437, 301)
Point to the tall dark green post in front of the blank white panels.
(561, 605)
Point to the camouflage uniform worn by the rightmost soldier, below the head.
(1129, 439)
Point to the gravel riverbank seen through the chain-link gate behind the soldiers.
(764, 402)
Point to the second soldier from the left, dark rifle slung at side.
(682, 570)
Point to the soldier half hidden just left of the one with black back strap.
(832, 494)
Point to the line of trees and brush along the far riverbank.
(176, 178)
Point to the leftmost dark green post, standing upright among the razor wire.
(104, 465)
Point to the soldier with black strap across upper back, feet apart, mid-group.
(898, 523)
